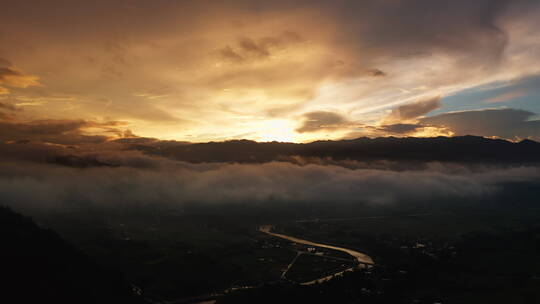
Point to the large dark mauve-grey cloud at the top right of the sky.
(423, 26)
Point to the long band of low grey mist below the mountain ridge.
(45, 186)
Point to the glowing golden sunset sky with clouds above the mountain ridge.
(78, 72)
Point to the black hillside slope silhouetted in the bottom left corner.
(38, 266)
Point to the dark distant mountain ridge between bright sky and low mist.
(452, 149)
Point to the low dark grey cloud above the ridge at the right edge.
(505, 123)
